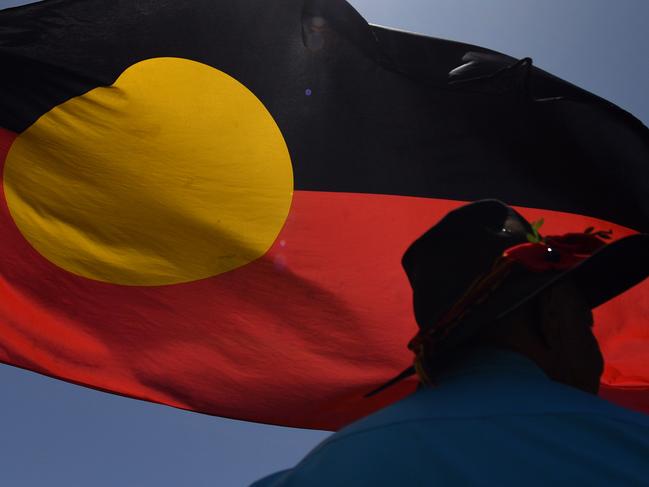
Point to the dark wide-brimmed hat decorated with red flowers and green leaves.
(483, 260)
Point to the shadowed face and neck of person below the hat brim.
(554, 329)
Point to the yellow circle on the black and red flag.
(174, 173)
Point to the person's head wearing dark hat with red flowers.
(484, 274)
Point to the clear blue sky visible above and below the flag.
(57, 434)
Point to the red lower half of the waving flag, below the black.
(295, 338)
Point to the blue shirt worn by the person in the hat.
(494, 419)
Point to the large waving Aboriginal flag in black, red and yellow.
(204, 204)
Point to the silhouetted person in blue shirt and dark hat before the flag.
(508, 363)
